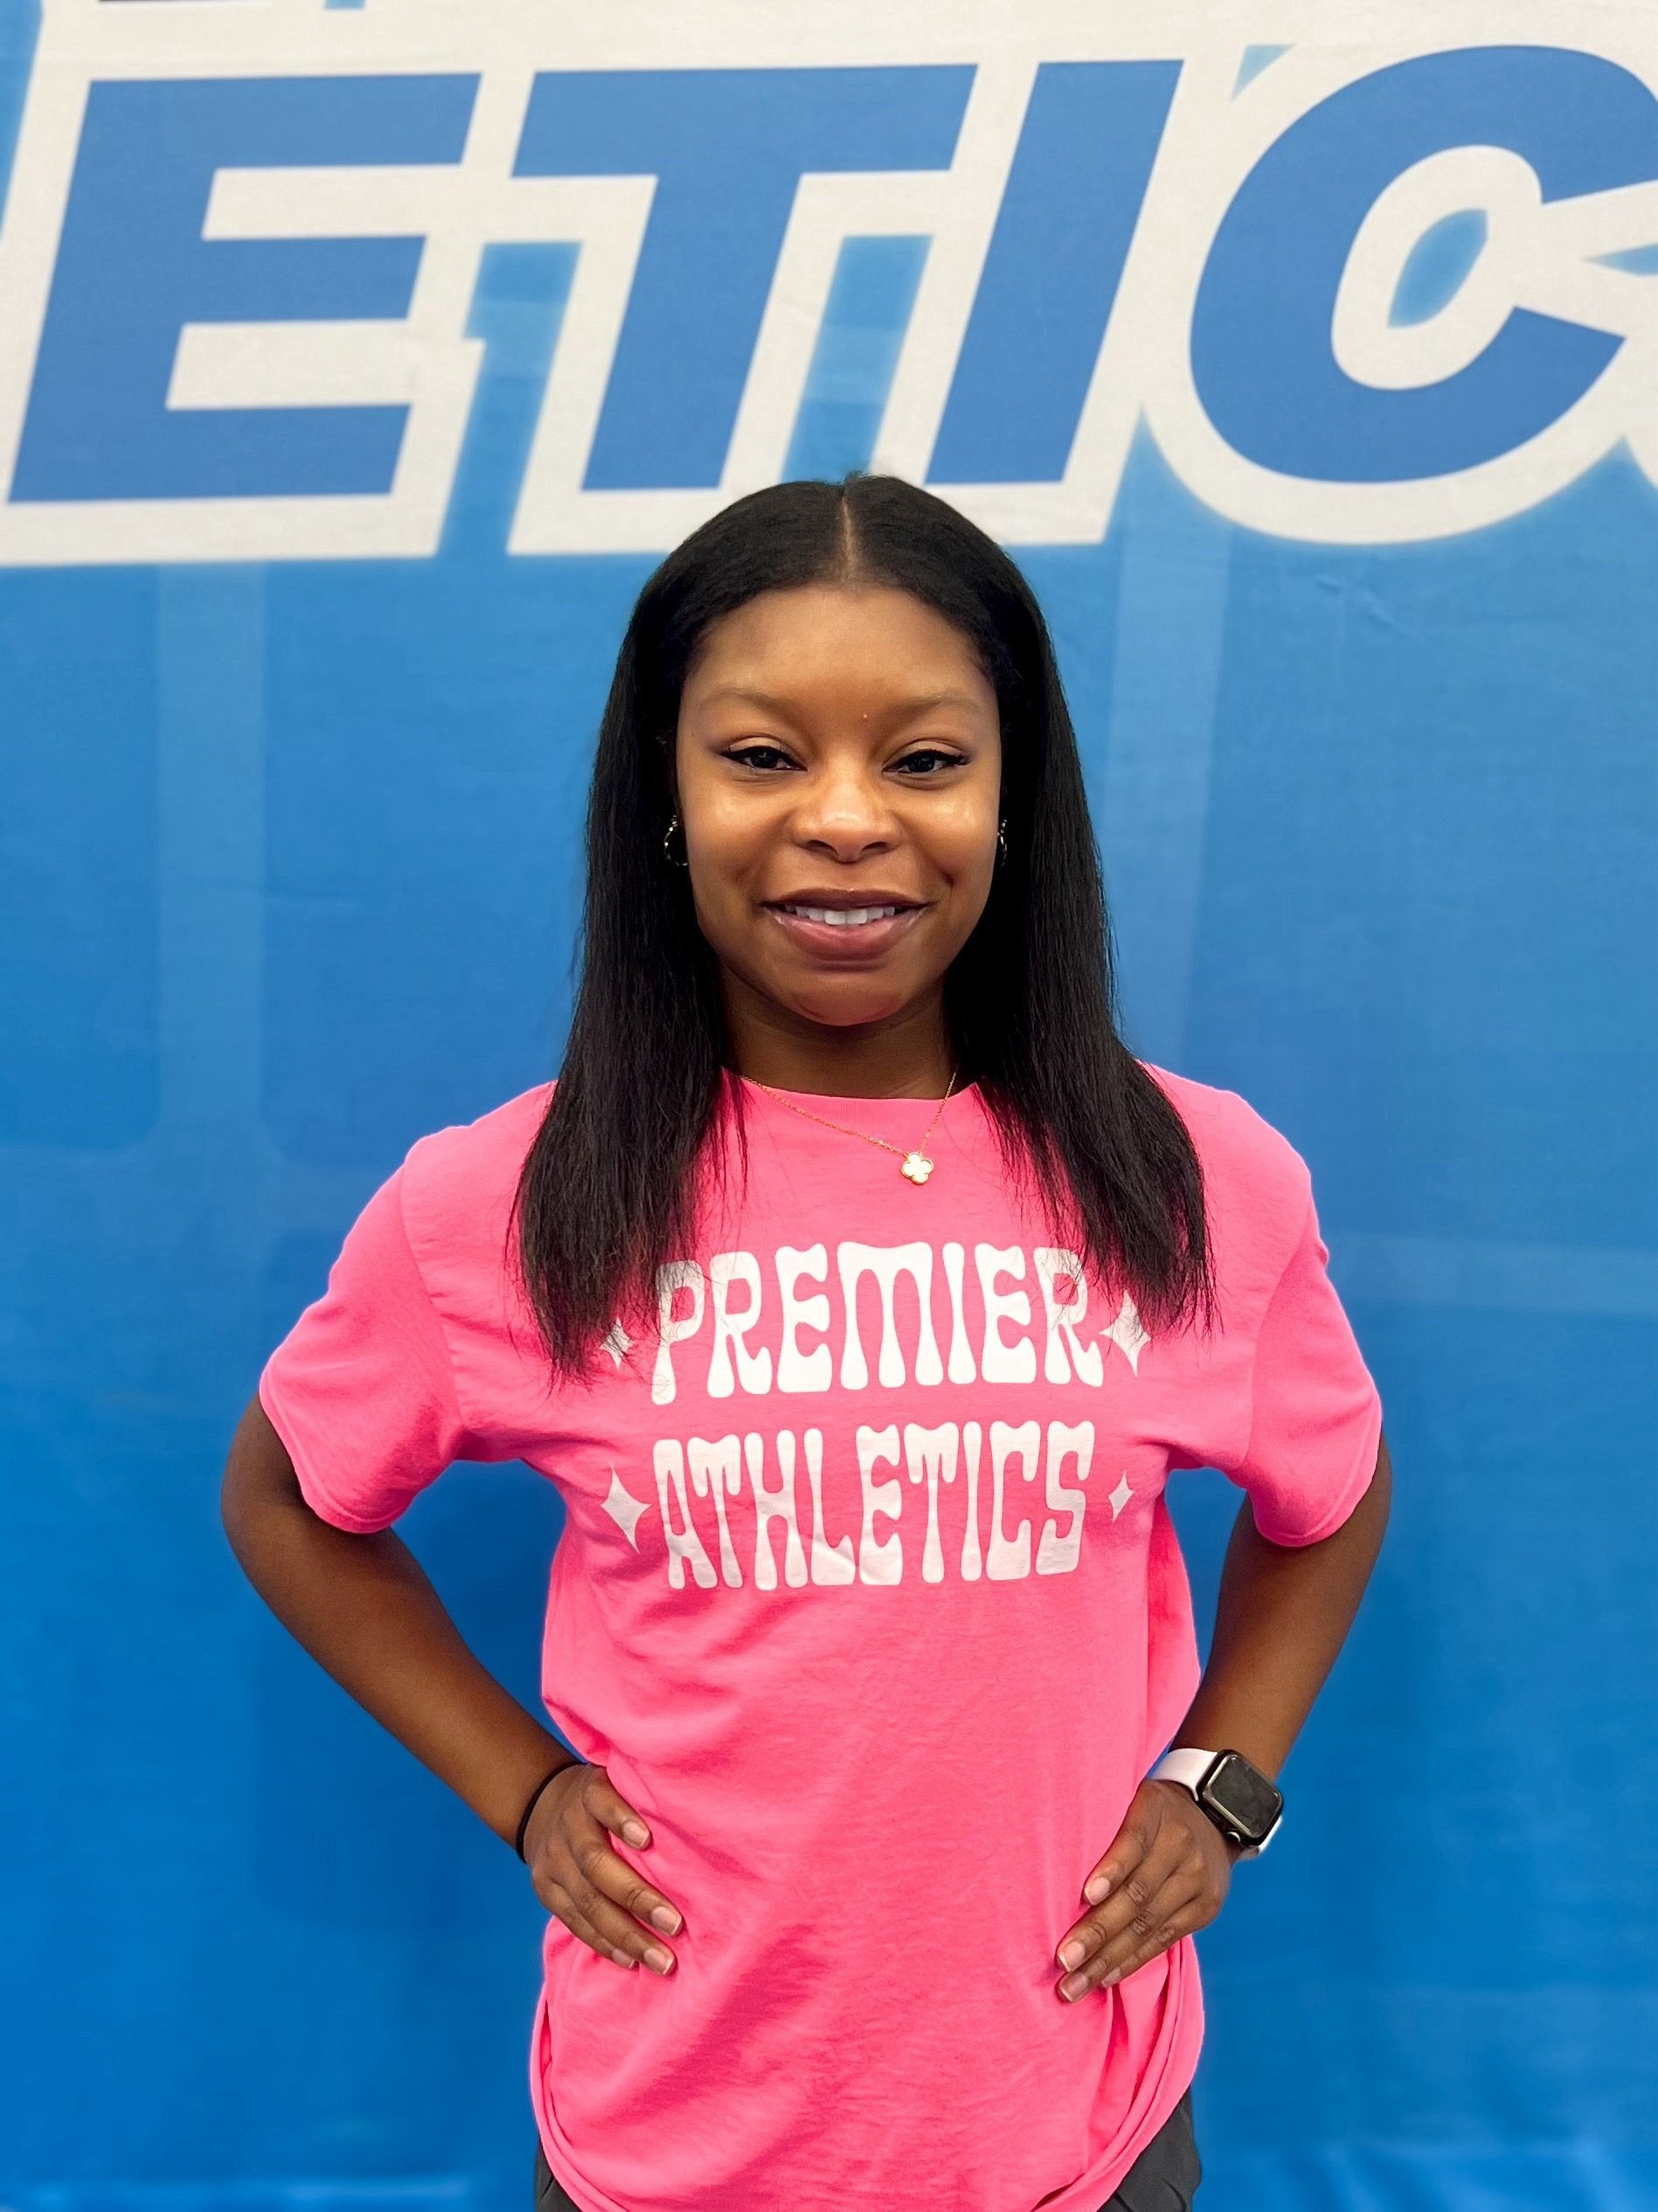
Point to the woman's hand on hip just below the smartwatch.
(1168, 1875)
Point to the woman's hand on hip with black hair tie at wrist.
(583, 1881)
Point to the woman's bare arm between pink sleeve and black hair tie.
(366, 1611)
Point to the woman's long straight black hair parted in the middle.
(611, 1182)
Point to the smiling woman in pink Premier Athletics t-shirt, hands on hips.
(859, 1291)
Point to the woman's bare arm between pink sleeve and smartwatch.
(1281, 1618)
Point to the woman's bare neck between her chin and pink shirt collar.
(903, 1056)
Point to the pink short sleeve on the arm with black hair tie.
(361, 1388)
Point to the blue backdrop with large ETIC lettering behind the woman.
(1312, 386)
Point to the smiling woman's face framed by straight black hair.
(839, 764)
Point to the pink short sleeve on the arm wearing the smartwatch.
(1314, 1415)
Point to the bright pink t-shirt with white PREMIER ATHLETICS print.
(872, 1605)
